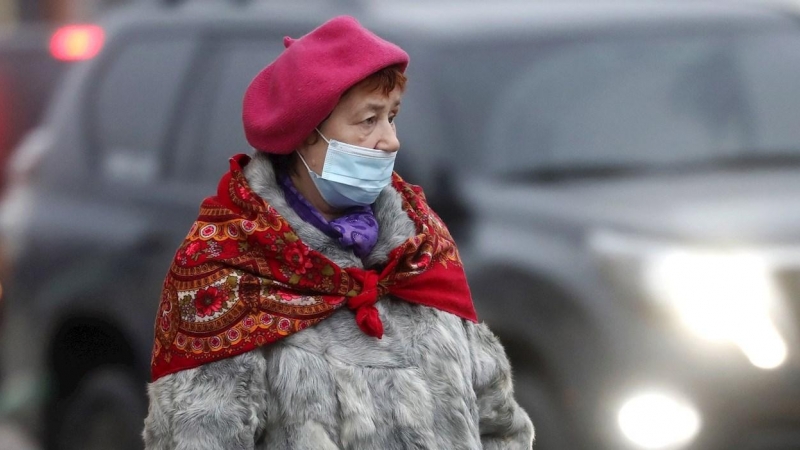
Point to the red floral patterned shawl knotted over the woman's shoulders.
(243, 278)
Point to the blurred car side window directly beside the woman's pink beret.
(214, 132)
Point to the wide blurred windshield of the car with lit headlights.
(628, 101)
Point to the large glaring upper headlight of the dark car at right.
(721, 295)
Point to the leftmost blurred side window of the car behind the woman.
(134, 105)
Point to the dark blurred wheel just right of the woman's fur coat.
(551, 425)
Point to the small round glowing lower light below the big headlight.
(657, 420)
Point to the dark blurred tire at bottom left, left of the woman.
(106, 412)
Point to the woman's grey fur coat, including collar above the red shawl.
(434, 381)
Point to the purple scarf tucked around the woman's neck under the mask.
(356, 229)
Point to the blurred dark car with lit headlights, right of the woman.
(624, 183)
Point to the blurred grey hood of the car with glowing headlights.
(745, 206)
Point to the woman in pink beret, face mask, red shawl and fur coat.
(317, 303)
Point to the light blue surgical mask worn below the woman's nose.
(352, 175)
